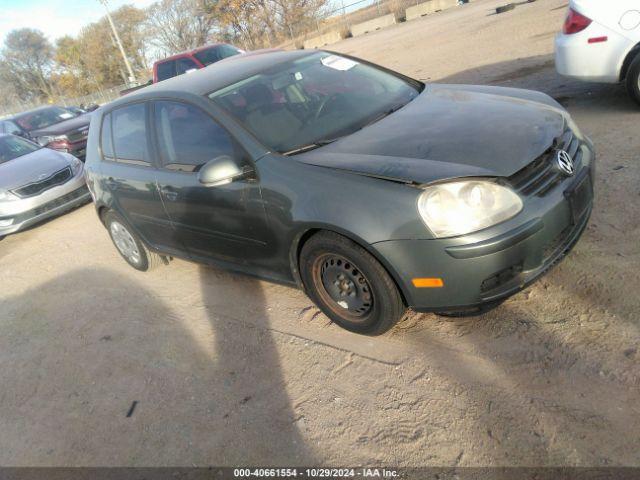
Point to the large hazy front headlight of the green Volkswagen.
(460, 207)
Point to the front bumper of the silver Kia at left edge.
(19, 214)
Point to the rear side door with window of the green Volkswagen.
(129, 175)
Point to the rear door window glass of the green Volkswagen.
(130, 133)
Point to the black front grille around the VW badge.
(541, 175)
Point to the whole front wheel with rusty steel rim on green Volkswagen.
(349, 285)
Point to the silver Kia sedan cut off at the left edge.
(36, 183)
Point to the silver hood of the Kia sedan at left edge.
(29, 168)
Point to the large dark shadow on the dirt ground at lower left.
(84, 347)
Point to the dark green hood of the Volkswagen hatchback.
(450, 131)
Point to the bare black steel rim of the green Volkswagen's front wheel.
(346, 285)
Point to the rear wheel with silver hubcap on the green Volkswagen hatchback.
(129, 245)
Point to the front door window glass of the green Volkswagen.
(188, 137)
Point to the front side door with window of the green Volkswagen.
(225, 222)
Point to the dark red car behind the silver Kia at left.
(58, 128)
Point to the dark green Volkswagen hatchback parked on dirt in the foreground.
(370, 190)
